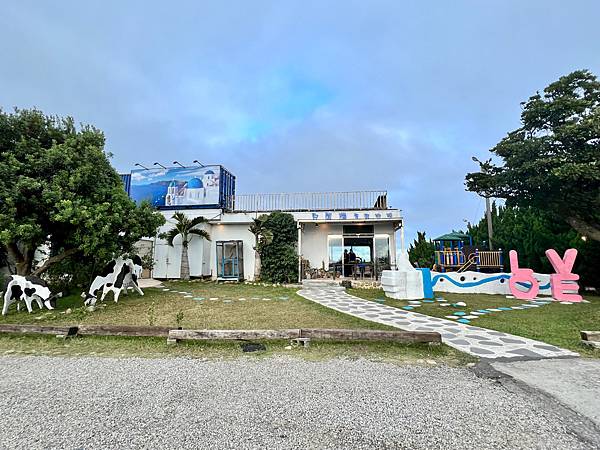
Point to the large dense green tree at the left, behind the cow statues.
(57, 187)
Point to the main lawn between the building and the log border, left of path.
(283, 309)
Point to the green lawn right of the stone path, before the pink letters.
(553, 323)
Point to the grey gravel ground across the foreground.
(52, 402)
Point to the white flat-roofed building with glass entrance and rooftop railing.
(347, 234)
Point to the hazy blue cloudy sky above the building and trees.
(301, 95)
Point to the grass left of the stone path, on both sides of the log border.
(284, 309)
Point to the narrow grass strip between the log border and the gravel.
(104, 346)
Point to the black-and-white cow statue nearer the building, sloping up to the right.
(117, 277)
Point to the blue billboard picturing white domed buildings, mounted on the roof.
(176, 187)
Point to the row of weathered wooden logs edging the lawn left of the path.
(205, 335)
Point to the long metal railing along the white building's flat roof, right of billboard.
(310, 201)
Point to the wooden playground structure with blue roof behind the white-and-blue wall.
(454, 252)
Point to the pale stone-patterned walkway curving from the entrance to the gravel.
(476, 341)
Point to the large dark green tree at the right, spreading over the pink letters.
(552, 162)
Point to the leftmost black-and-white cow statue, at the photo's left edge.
(27, 289)
